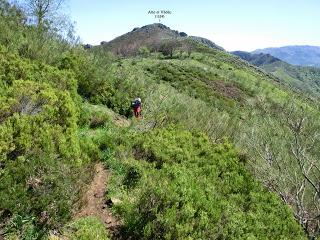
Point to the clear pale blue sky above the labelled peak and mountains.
(232, 24)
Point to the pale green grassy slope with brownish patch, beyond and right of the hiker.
(224, 97)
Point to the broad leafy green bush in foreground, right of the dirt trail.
(200, 190)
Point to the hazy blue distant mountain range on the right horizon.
(295, 55)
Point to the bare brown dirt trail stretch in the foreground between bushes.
(95, 202)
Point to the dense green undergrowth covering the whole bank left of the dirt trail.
(44, 161)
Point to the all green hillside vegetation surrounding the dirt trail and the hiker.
(223, 151)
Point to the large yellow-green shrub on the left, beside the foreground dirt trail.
(42, 164)
